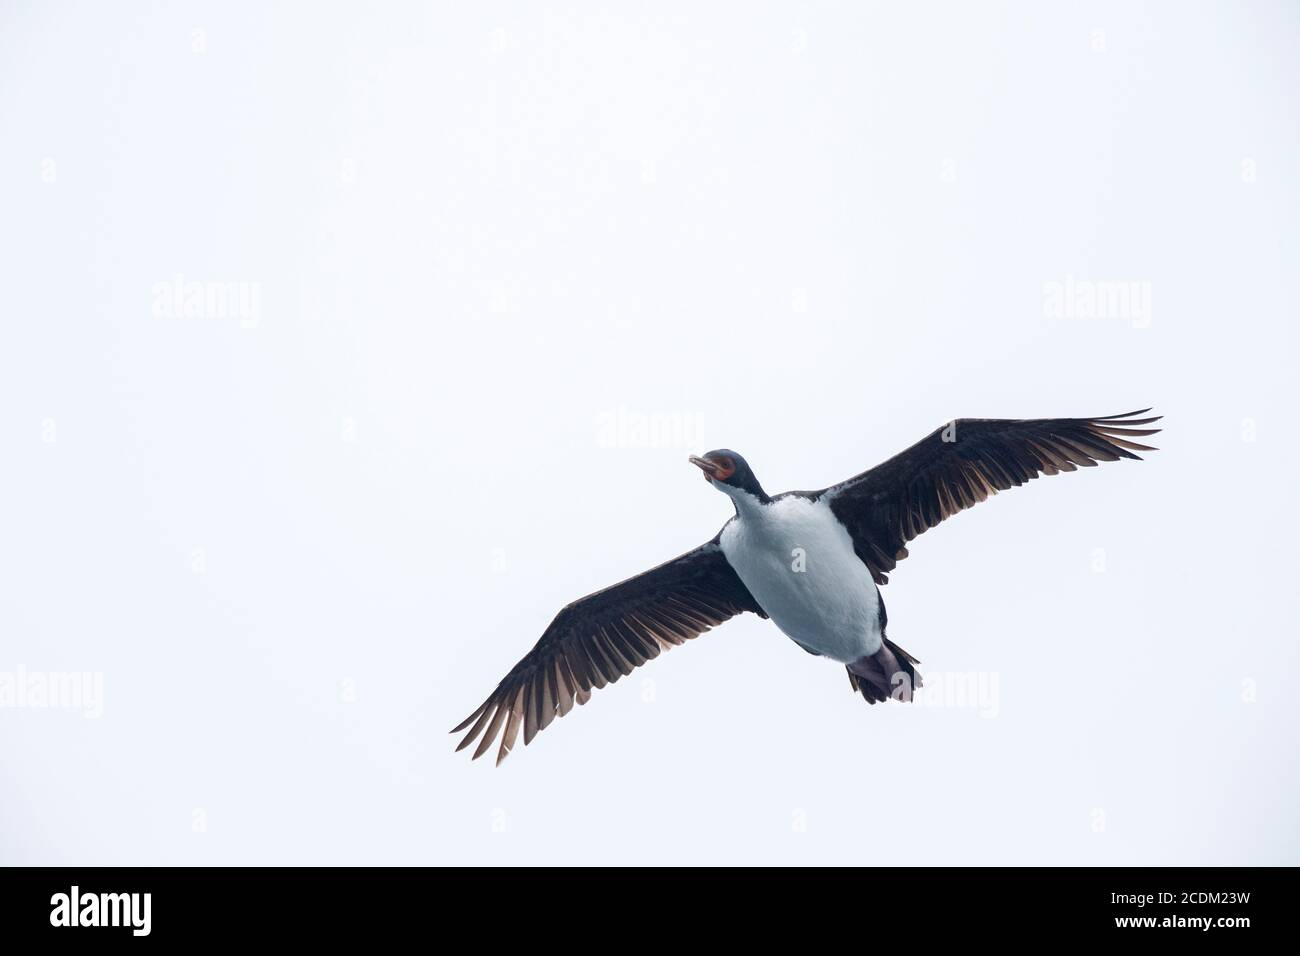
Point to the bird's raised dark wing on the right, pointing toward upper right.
(963, 464)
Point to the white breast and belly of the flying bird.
(799, 564)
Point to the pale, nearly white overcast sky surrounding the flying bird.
(297, 548)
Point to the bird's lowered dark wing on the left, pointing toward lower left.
(603, 637)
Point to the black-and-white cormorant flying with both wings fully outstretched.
(809, 561)
